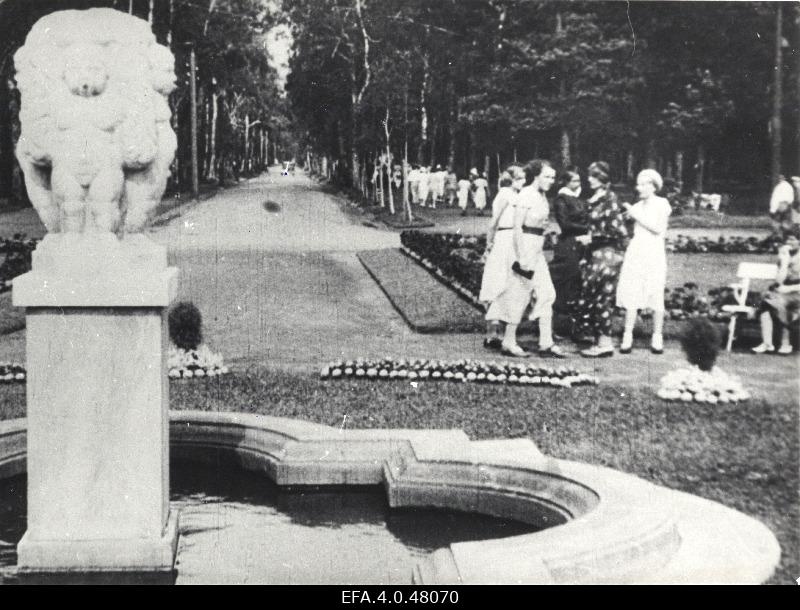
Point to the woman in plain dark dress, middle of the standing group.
(573, 220)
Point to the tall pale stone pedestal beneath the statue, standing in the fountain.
(98, 425)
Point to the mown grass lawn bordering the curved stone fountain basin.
(744, 456)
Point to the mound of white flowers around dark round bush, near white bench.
(694, 385)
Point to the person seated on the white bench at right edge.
(782, 301)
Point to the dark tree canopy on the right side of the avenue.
(683, 87)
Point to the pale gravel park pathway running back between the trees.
(284, 289)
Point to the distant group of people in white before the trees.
(430, 187)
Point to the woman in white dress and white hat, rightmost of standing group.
(644, 269)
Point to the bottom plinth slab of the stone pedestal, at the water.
(101, 555)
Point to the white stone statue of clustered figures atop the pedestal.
(96, 142)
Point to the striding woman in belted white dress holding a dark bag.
(531, 277)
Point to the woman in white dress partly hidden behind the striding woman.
(500, 249)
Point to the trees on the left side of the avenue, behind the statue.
(242, 115)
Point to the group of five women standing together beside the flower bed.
(608, 254)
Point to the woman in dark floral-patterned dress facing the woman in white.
(600, 268)
